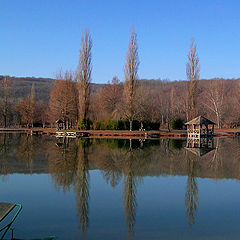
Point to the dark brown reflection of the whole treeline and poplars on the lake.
(69, 162)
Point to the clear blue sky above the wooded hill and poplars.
(38, 37)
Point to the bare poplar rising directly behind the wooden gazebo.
(192, 71)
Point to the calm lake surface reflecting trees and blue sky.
(121, 189)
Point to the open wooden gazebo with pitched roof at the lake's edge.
(200, 127)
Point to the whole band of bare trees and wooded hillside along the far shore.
(75, 102)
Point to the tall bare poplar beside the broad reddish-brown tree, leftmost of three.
(83, 75)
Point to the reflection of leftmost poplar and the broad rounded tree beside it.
(68, 165)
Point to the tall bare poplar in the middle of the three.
(130, 73)
